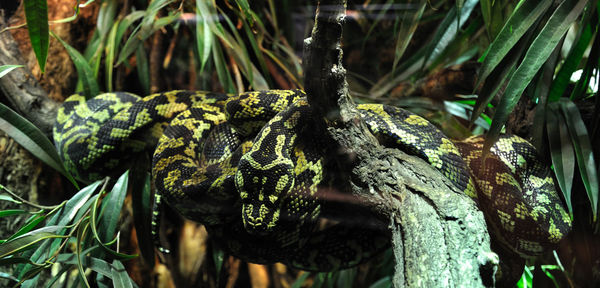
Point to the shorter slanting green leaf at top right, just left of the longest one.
(520, 21)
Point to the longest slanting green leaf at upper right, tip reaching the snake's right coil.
(537, 54)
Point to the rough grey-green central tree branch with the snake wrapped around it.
(439, 236)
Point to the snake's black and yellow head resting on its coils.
(262, 186)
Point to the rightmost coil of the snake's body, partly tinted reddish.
(517, 194)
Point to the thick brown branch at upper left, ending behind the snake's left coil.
(21, 89)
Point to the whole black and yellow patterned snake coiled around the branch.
(243, 166)
